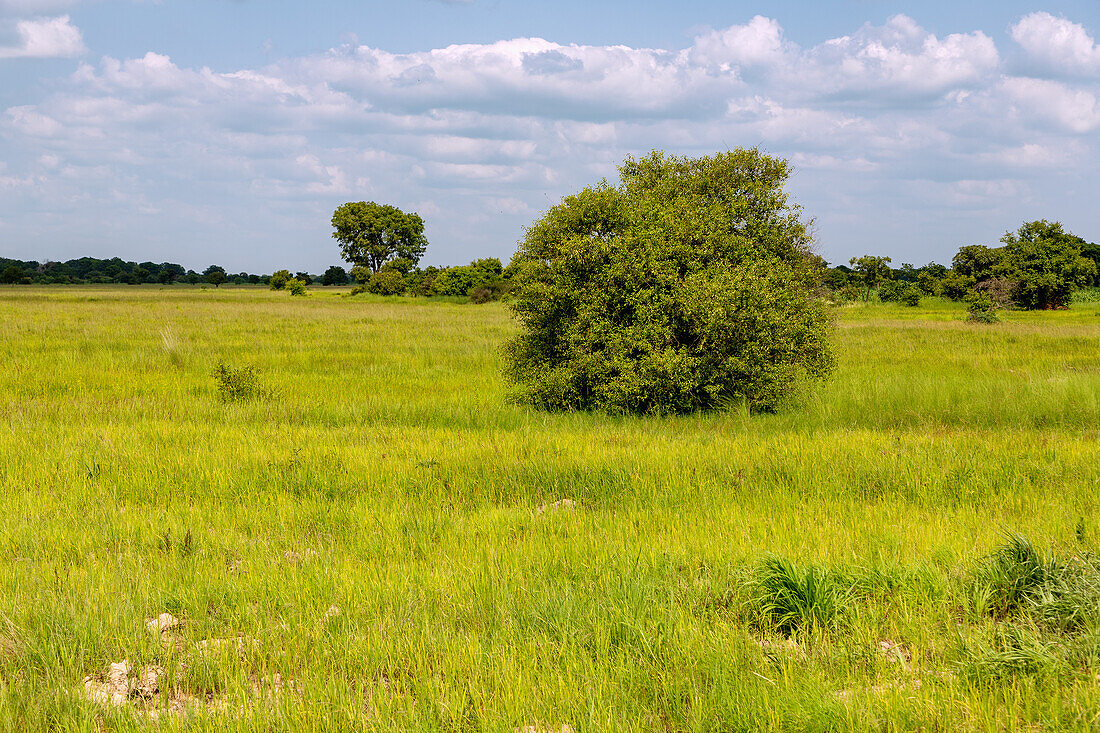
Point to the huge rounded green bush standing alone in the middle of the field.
(687, 288)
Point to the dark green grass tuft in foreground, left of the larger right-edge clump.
(790, 599)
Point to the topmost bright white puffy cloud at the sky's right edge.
(1058, 46)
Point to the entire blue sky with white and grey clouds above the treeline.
(227, 132)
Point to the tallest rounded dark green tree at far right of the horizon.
(1046, 264)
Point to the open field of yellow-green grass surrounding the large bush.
(369, 540)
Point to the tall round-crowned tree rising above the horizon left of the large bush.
(371, 235)
